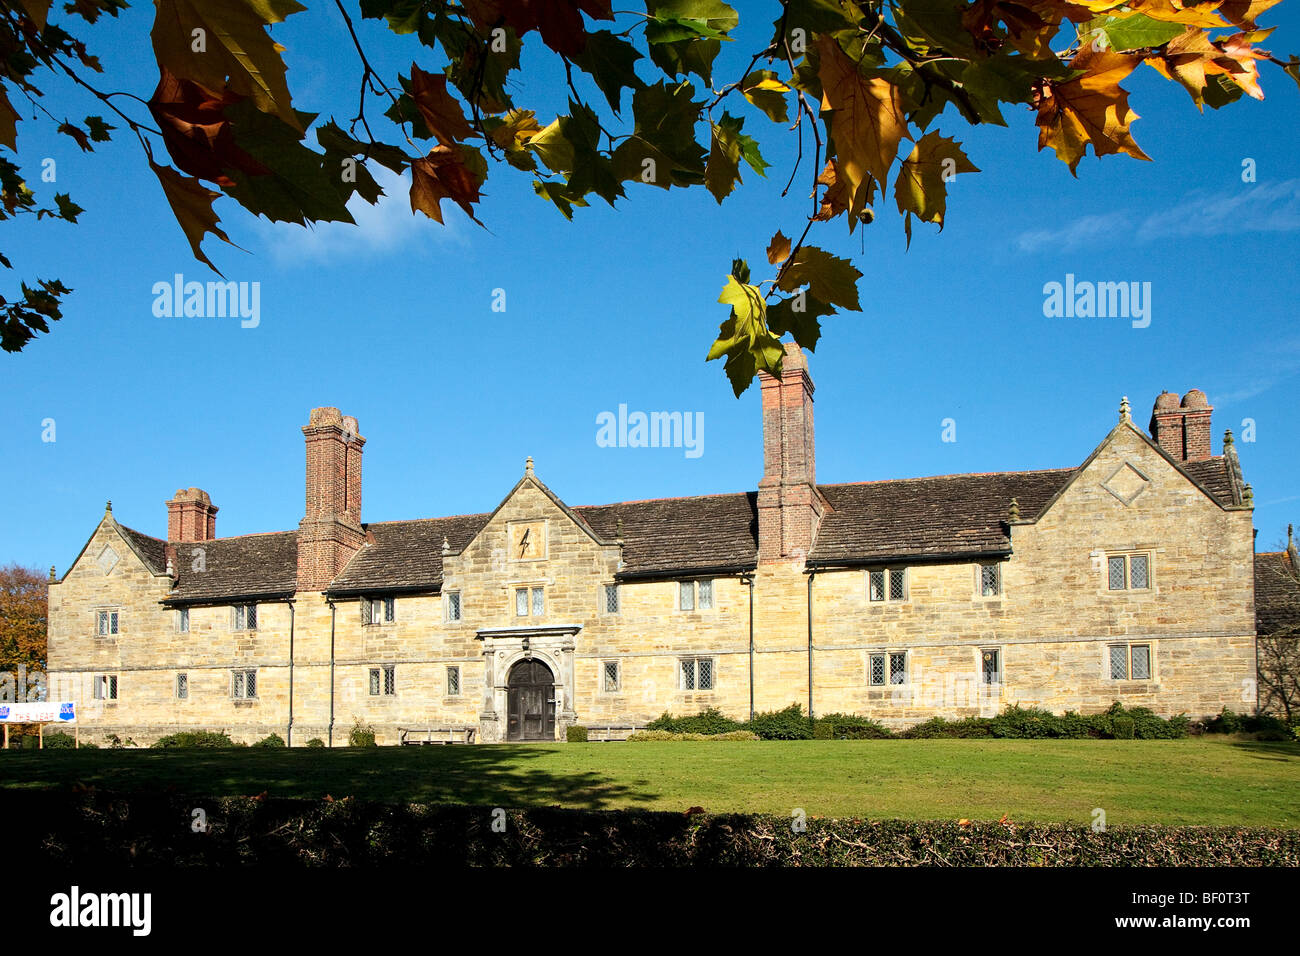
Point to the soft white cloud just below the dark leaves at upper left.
(388, 227)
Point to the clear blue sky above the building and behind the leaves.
(393, 323)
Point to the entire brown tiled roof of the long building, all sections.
(930, 518)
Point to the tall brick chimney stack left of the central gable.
(331, 531)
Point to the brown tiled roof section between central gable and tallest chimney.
(712, 533)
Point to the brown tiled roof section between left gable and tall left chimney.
(233, 568)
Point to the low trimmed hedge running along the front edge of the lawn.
(105, 829)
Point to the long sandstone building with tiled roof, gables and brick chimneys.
(1130, 577)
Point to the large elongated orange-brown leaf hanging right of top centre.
(866, 122)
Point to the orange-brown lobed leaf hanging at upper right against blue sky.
(1090, 110)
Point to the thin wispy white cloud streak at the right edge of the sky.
(1258, 209)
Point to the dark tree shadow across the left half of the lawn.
(500, 776)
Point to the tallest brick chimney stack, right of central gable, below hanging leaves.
(790, 504)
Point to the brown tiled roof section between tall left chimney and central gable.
(406, 556)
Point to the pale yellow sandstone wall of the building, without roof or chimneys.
(1052, 625)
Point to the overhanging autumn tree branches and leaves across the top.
(865, 81)
